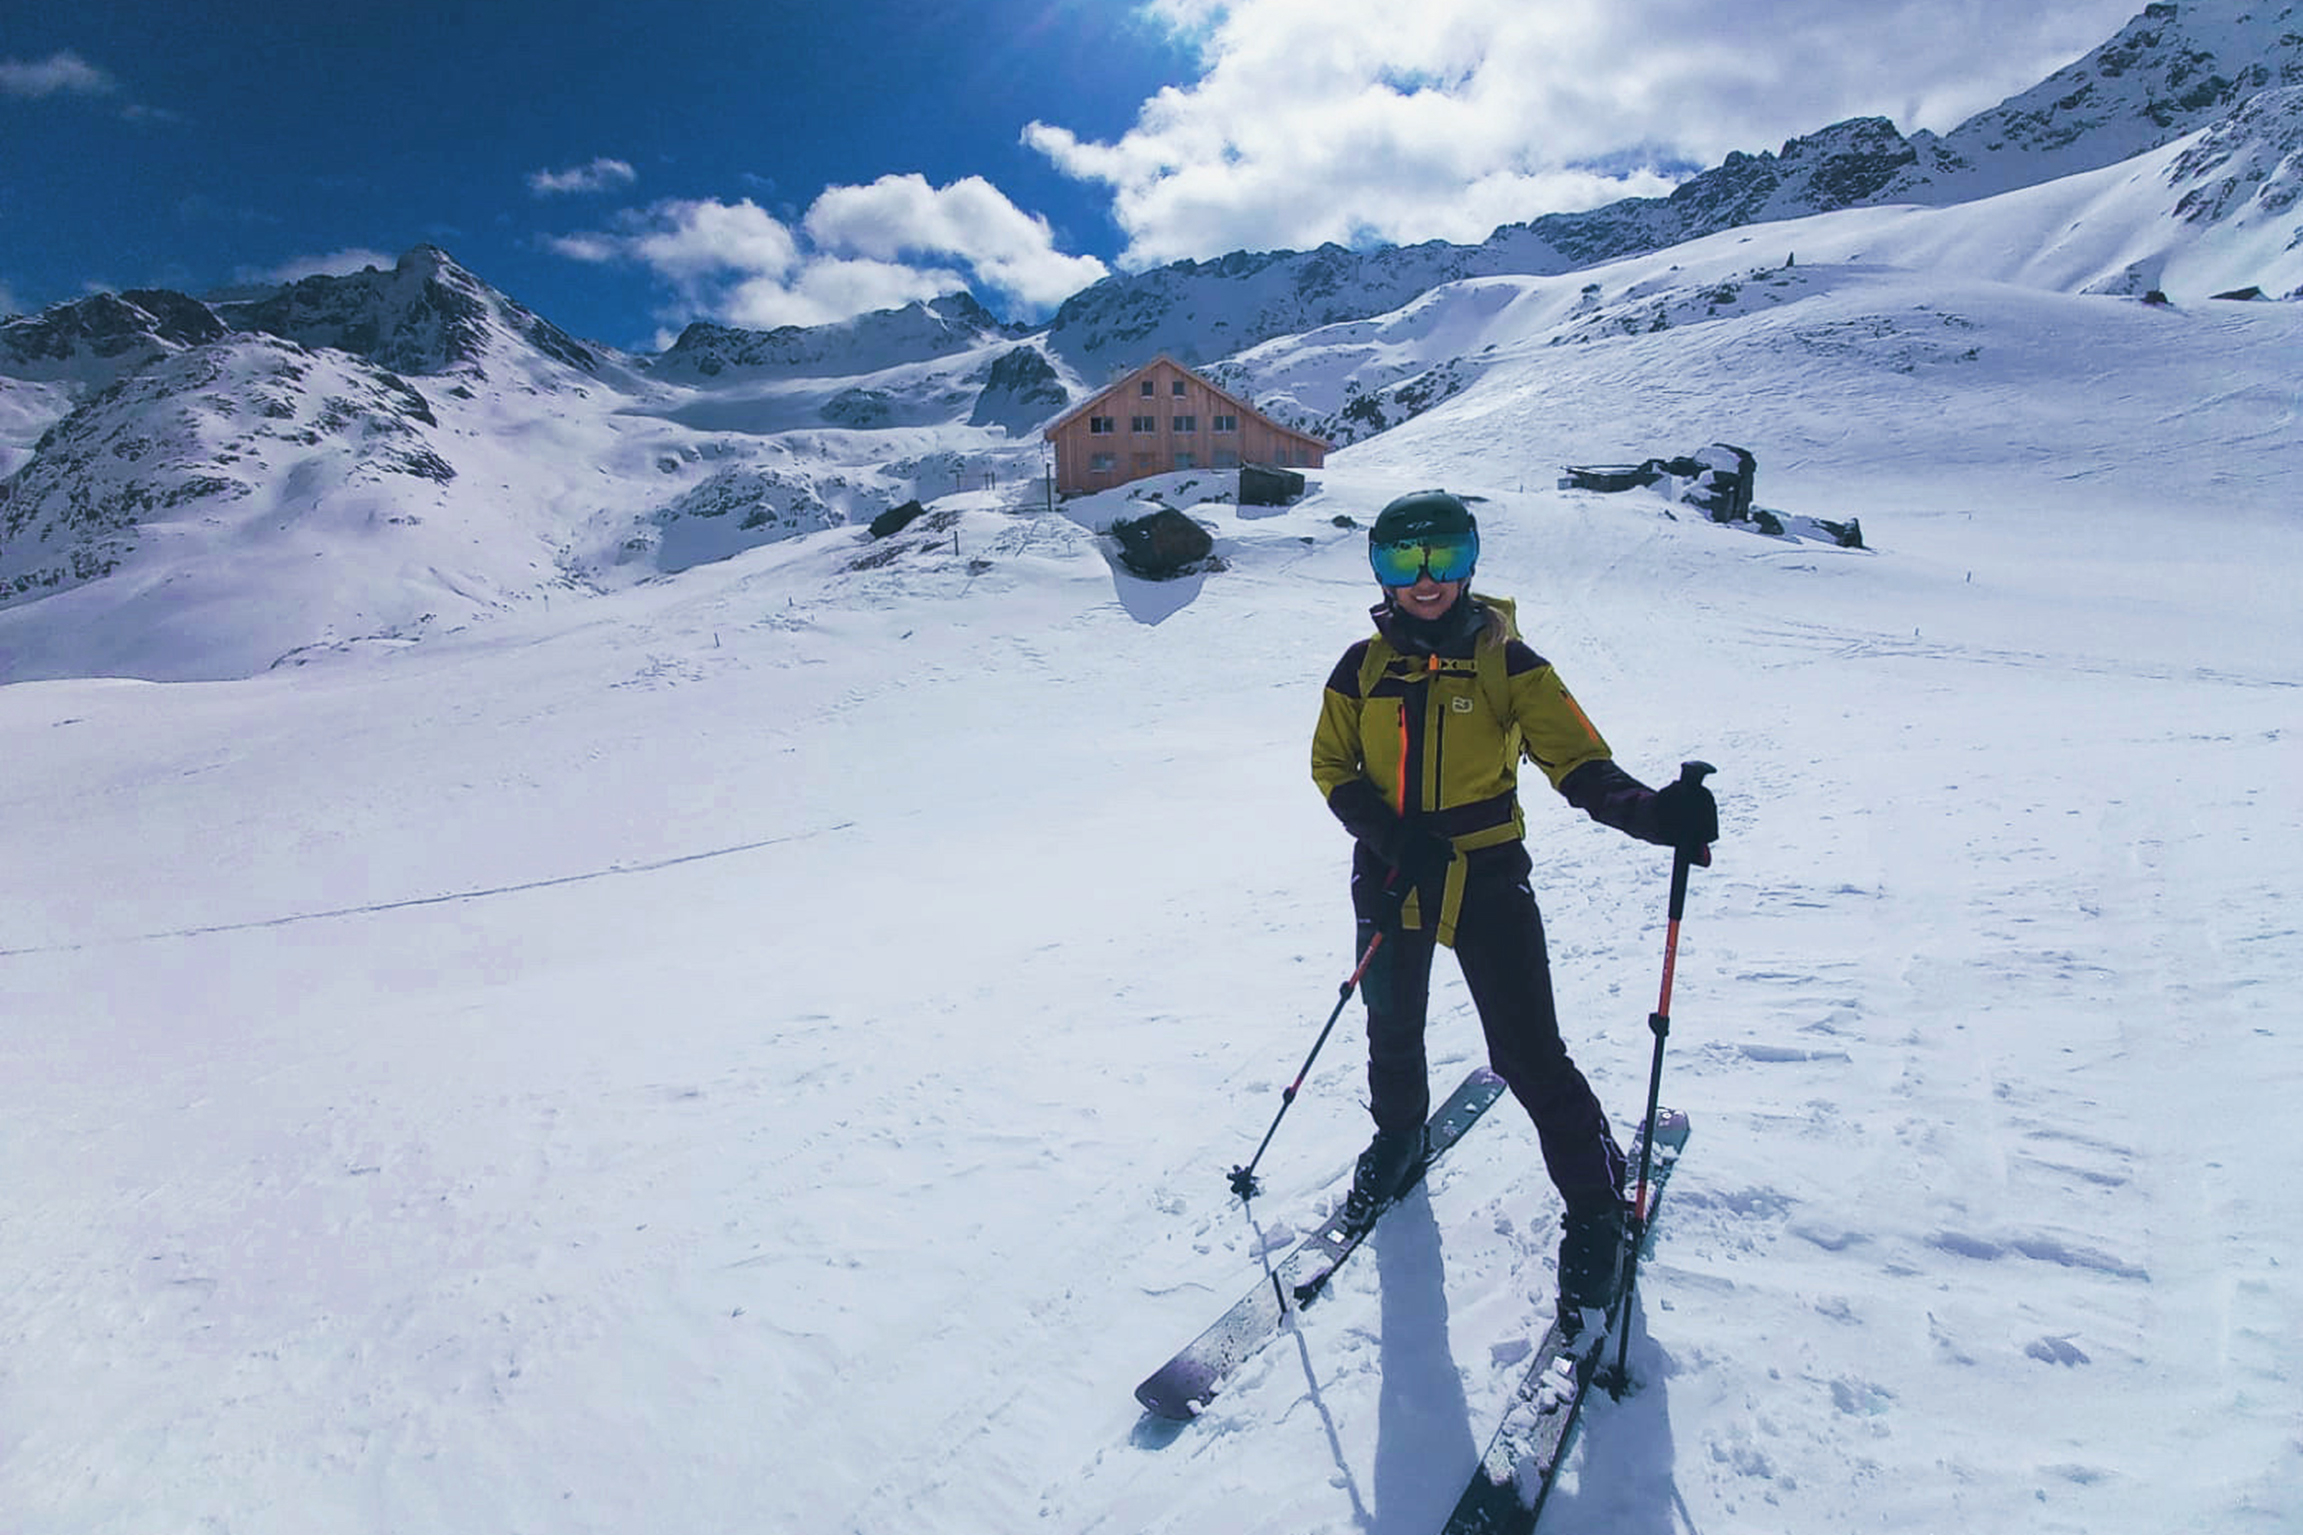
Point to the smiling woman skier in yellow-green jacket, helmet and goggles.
(1417, 751)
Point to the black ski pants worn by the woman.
(1505, 965)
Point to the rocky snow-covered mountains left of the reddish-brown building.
(206, 491)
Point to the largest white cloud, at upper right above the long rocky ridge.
(1353, 121)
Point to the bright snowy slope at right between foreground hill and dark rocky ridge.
(2203, 215)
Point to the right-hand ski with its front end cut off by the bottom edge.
(1512, 1481)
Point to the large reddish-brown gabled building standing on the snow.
(1166, 418)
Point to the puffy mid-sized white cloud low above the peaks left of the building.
(858, 250)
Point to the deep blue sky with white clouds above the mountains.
(628, 169)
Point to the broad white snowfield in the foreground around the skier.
(761, 1051)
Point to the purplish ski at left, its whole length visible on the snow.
(1189, 1382)
